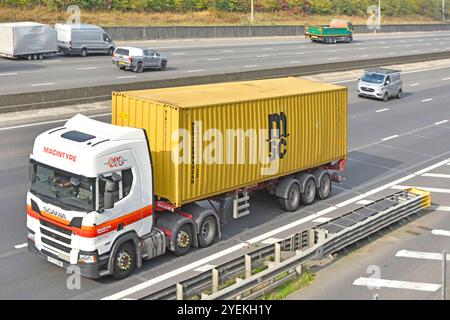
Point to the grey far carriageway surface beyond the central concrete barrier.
(201, 57)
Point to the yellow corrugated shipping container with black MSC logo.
(208, 140)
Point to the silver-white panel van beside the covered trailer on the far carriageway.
(83, 39)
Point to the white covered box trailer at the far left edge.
(27, 40)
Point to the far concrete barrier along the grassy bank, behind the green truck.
(194, 32)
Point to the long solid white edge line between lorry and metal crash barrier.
(225, 252)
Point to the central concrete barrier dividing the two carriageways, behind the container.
(54, 98)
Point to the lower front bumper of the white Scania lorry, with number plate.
(91, 270)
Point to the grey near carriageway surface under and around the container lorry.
(387, 142)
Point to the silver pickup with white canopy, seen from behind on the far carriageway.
(138, 59)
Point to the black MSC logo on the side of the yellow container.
(278, 134)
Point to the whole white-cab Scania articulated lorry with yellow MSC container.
(105, 197)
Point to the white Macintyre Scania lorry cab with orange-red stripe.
(90, 195)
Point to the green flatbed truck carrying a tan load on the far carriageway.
(337, 31)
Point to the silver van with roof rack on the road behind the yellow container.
(380, 83)
